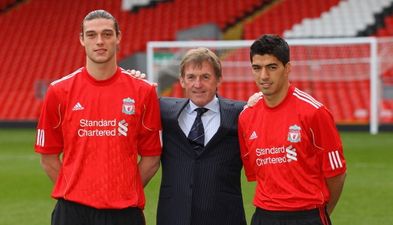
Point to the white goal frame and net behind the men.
(351, 76)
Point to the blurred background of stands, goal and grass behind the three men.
(340, 50)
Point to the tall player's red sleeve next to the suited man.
(149, 141)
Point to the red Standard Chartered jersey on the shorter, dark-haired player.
(290, 150)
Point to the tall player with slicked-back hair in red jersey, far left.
(99, 134)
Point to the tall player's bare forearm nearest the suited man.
(148, 166)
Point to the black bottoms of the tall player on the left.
(71, 213)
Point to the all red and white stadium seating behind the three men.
(41, 44)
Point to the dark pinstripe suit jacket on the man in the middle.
(204, 189)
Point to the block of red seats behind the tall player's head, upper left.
(45, 46)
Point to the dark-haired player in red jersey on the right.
(289, 144)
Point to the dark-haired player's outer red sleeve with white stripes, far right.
(327, 139)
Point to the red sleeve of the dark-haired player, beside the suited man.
(244, 150)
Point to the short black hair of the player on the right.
(271, 44)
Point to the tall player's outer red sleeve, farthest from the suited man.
(49, 139)
